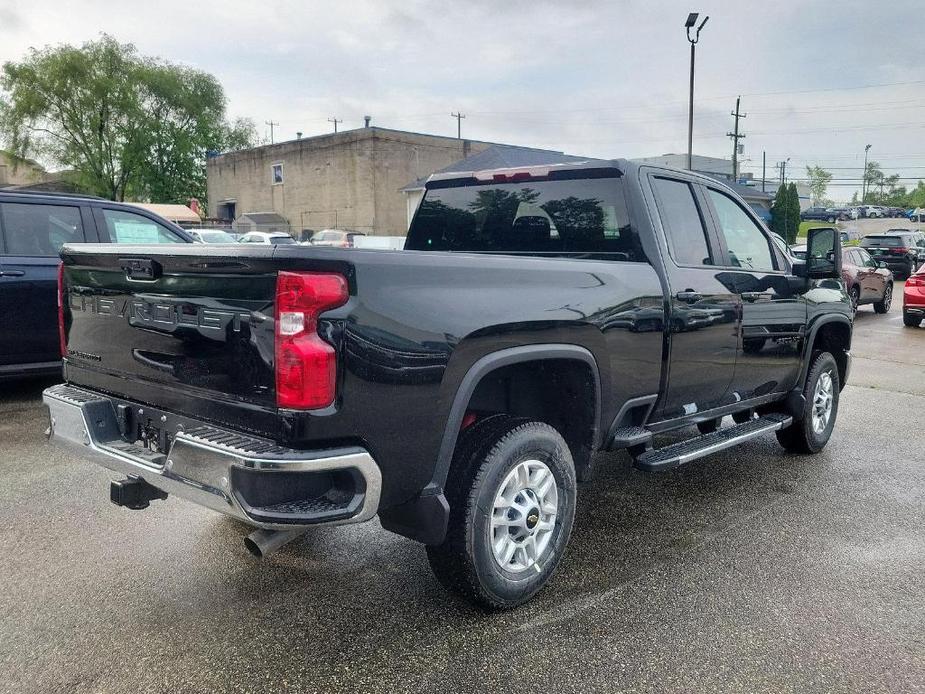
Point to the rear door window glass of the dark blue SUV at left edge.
(38, 230)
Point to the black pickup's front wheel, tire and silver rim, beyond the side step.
(812, 431)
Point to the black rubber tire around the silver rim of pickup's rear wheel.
(485, 454)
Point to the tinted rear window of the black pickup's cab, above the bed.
(560, 217)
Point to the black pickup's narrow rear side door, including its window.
(703, 312)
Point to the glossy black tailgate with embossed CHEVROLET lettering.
(190, 328)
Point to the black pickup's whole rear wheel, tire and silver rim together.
(512, 496)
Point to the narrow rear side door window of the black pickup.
(683, 223)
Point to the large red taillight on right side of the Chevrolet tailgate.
(306, 365)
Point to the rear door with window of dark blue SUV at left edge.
(32, 234)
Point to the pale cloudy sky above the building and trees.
(819, 80)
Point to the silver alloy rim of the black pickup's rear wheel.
(523, 516)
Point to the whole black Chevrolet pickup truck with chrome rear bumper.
(457, 389)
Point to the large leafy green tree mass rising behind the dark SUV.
(125, 124)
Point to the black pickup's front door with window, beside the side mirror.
(774, 311)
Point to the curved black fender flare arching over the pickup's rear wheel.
(491, 362)
